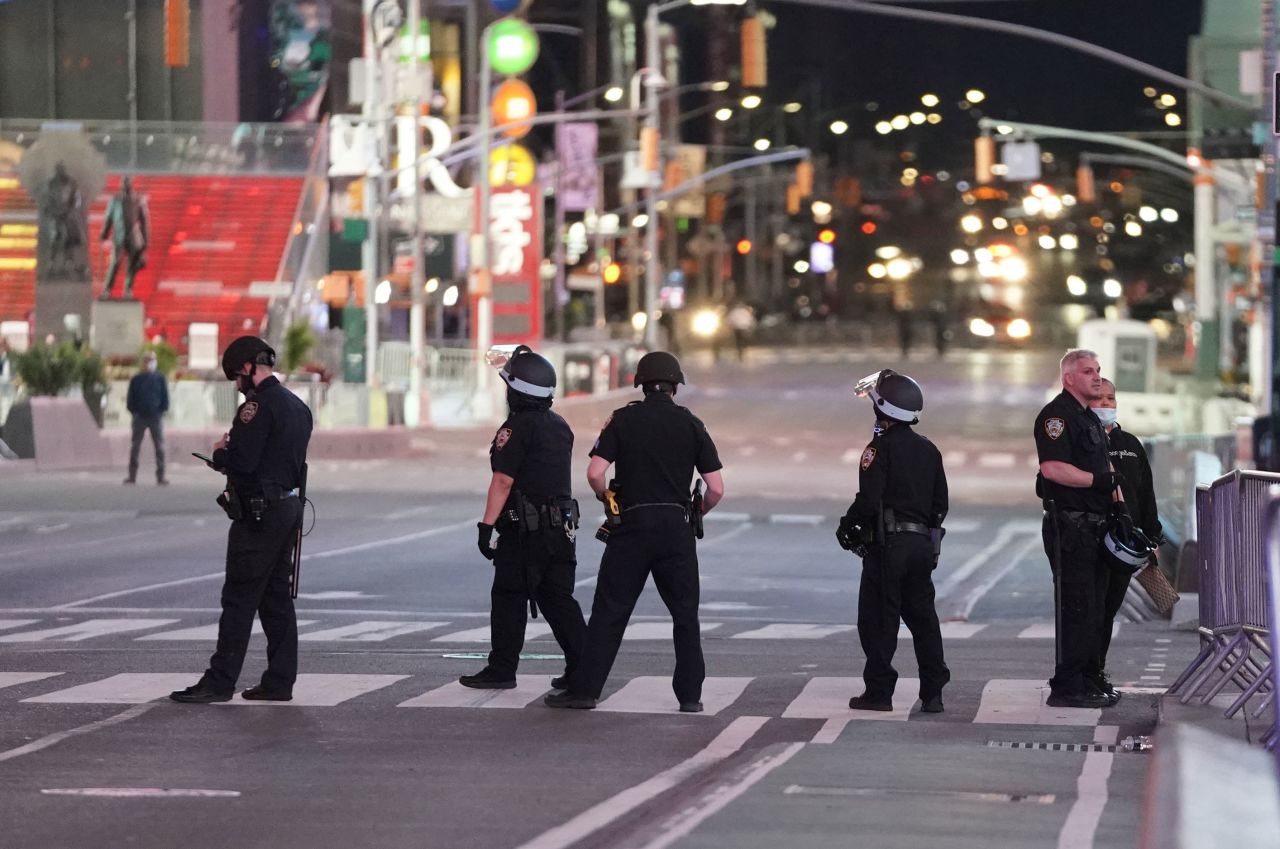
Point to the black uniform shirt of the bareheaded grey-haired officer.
(1069, 432)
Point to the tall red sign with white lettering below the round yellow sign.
(515, 266)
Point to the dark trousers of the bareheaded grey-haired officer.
(1081, 582)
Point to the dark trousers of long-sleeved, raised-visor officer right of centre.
(898, 583)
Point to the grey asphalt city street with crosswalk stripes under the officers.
(111, 601)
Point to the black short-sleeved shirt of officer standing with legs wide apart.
(657, 445)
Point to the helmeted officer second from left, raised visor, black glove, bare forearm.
(533, 510)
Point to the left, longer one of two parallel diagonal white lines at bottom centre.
(728, 743)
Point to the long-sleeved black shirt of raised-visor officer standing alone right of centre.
(902, 471)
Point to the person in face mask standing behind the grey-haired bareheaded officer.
(1130, 460)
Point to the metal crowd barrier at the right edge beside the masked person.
(1236, 622)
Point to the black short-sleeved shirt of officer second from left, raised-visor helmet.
(536, 448)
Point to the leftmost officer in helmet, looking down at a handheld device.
(264, 459)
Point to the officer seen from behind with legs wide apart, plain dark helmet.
(657, 445)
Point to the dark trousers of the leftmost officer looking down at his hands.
(259, 572)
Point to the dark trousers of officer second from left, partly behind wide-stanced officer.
(545, 562)
